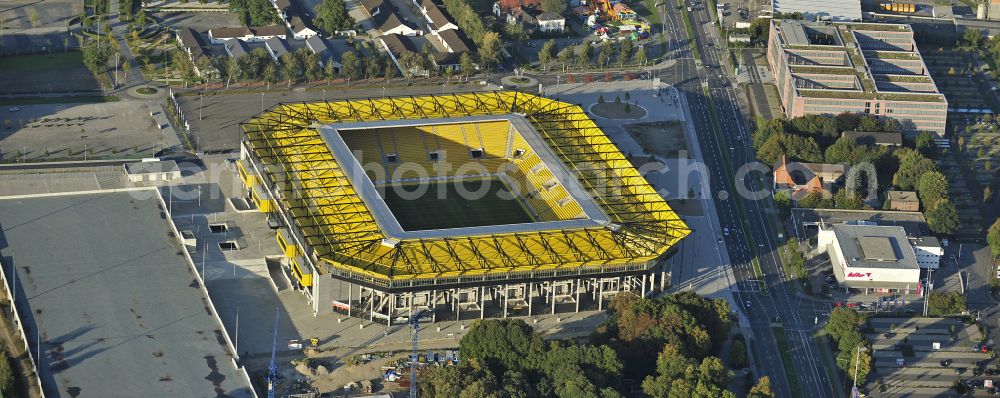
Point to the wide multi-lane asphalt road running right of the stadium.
(751, 234)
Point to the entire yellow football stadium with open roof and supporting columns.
(489, 204)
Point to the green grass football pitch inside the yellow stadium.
(450, 209)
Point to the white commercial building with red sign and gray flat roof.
(871, 258)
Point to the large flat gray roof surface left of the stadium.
(103, 282)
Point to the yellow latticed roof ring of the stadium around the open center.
(341, 231)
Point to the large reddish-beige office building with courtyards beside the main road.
(875, 69)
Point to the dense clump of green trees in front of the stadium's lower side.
(506, 358)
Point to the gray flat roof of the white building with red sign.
(875, 246)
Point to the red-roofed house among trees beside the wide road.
(801, 179)
